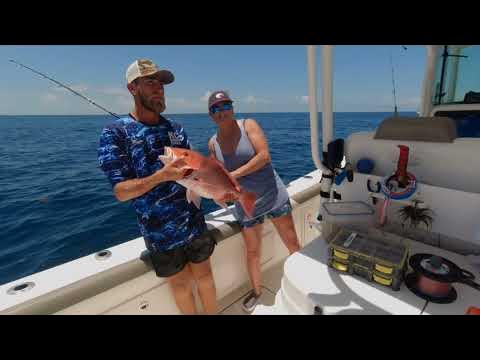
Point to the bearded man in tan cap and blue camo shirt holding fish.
(173, 229)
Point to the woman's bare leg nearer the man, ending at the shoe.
(253, 240)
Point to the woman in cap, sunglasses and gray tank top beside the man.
(242, 147)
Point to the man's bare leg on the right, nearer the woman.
(202, 274)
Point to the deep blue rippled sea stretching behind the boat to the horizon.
(56, 205)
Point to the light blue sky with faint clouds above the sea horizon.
(259, 78)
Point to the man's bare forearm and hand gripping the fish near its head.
(130, 189)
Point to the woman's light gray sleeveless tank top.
(265, 183)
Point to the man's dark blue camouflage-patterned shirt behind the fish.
(129, 149)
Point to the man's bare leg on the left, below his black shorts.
(181, 284)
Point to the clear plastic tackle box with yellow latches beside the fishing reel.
(375, 255)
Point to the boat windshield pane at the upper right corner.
(457, 79)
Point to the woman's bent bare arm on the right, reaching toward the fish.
(260, 144)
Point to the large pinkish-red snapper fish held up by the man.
(209, 179)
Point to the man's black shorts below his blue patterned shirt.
(170, 262)
